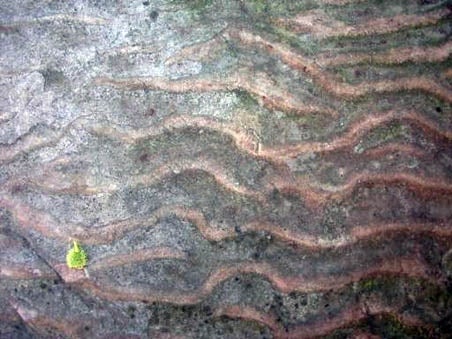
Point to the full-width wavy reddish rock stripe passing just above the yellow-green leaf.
(109, 233)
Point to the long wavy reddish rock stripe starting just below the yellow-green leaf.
(410, 267)
